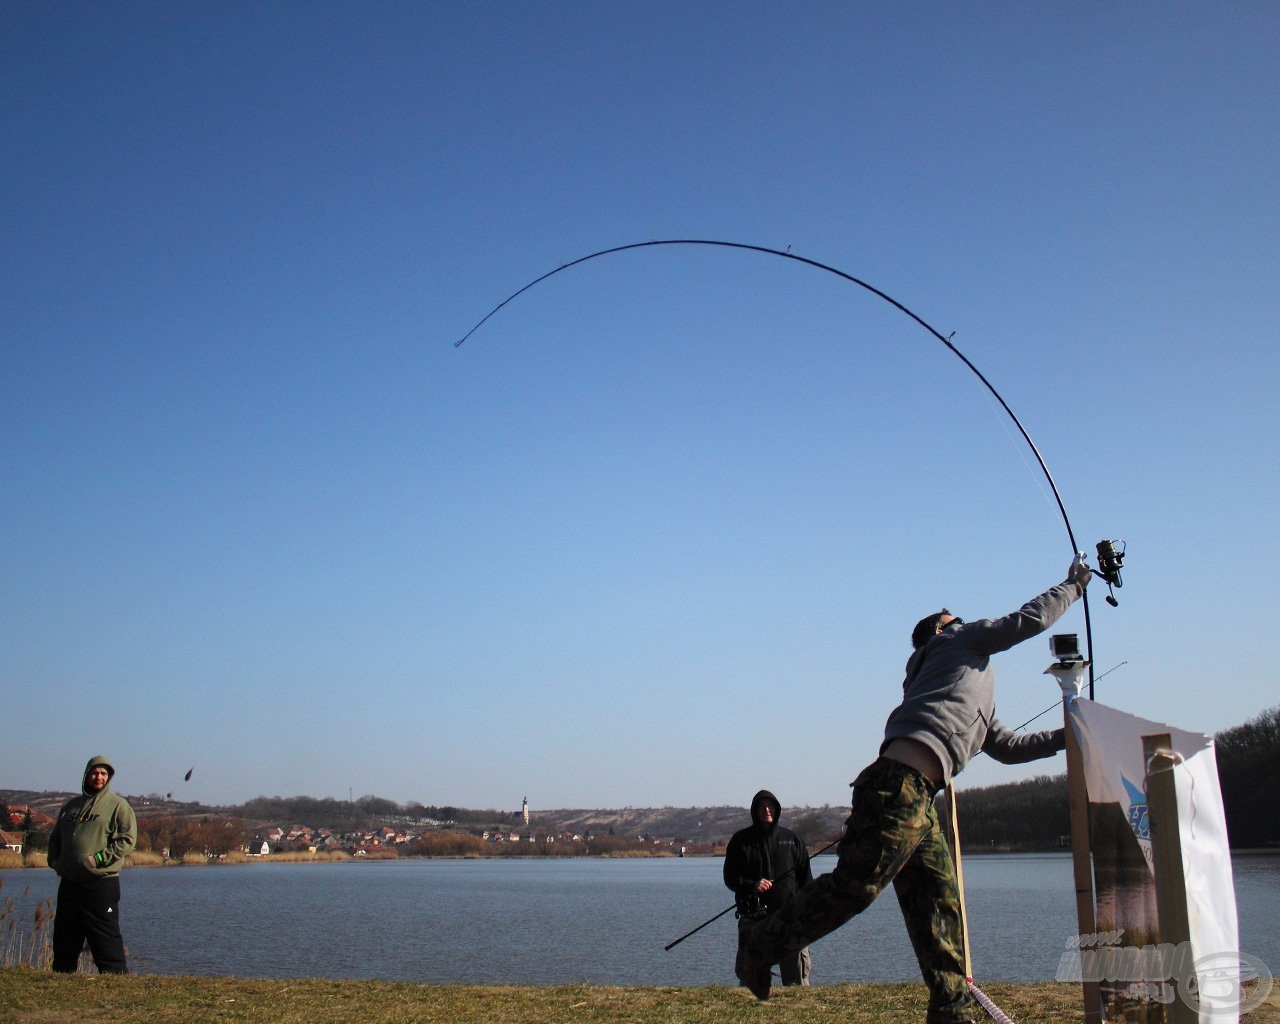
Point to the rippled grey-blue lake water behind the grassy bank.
(565, 921)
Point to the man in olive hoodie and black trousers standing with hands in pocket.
(93, 836)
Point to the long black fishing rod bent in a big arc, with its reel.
(1110, 559)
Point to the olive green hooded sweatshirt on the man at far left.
(94, 833)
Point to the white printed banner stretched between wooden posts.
(1126, 954)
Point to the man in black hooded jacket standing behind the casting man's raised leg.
(766, 865)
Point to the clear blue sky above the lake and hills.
(659, 533)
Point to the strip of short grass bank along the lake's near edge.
(38, 998)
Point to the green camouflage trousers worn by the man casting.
(893, 835)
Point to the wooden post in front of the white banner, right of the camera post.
(1167, 851)
